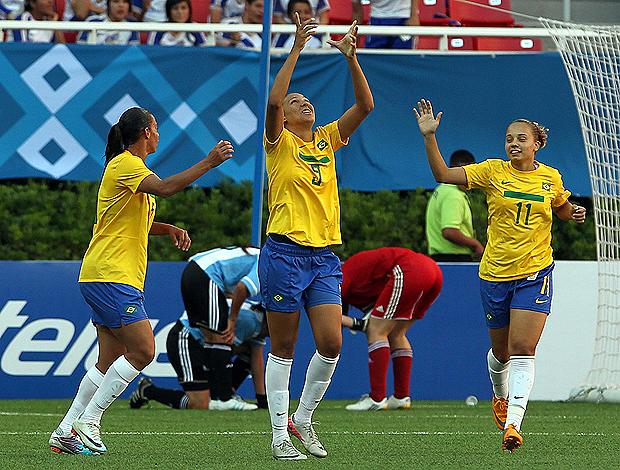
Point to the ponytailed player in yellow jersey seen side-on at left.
(114, 268)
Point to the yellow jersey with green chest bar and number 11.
(520, 214)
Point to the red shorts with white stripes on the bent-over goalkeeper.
(409, 292)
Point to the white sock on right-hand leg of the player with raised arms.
(318, 377)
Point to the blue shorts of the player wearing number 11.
(531, 293)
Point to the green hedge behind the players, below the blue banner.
(48, 220)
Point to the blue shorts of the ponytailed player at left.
(114, 304)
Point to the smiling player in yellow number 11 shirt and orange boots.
(516, 268)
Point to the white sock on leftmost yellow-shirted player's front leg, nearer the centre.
(115, 381)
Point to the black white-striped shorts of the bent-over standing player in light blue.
(205, 303)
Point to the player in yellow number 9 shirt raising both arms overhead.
(296, 267)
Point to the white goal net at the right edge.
(591, 56)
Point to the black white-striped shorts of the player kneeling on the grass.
(188, 357)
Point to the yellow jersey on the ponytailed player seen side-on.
(118, 250)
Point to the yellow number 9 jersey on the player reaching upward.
(303, 190)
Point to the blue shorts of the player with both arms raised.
(294, 276)
